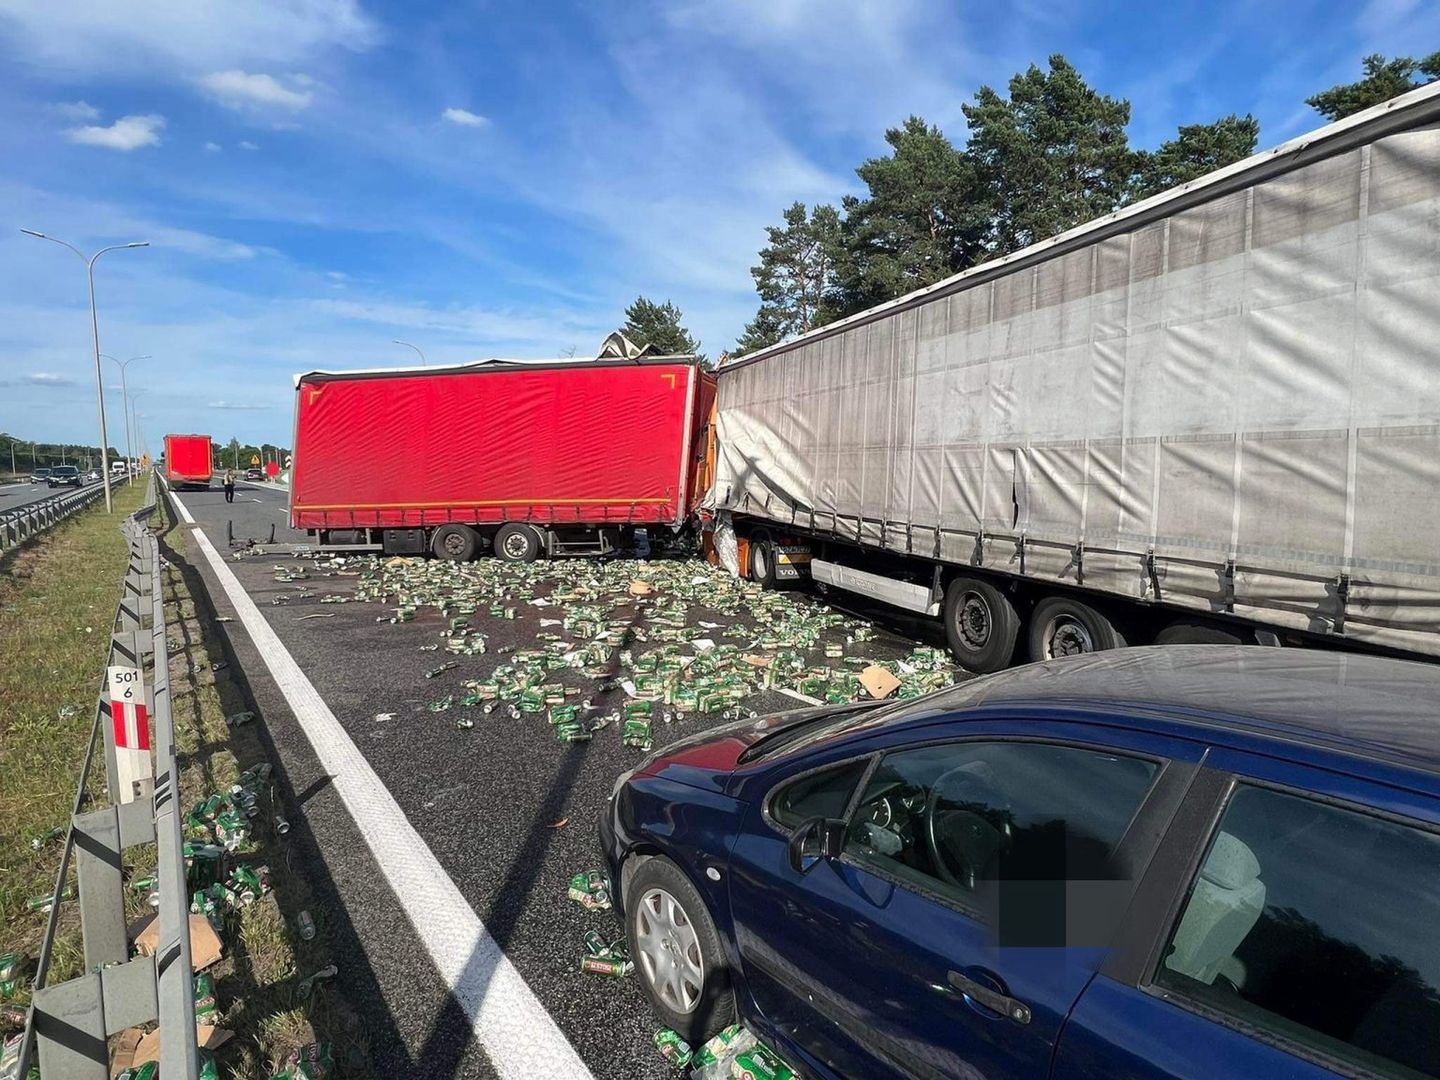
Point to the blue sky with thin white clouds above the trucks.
(500, 179)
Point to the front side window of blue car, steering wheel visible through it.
(960, 817)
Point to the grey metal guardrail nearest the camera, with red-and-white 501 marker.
(68, 1023)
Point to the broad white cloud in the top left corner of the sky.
(184, 37)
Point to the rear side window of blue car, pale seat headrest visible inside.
(1318, 924)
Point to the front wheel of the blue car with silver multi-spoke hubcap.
(678, 953)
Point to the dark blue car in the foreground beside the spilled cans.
(1187, 862)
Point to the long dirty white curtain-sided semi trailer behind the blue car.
(1213, 415)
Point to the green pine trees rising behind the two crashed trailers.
(1046, 156)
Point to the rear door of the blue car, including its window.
(1300, 938)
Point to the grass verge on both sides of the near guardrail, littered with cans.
(57, 607)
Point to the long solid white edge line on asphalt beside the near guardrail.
(519, 1036)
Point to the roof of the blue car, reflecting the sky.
(1360, 705)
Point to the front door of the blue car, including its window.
(971, 904)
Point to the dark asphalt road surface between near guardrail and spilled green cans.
(506, 810)
